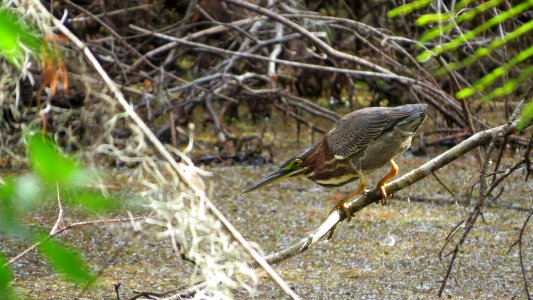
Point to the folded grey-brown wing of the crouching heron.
(355, 131)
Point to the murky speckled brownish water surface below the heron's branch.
(384, 252)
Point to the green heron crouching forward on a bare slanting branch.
(360, 143)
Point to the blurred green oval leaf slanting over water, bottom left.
(66, 261)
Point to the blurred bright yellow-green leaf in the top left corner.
(14, 37)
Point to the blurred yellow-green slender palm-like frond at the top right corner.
(493, 14)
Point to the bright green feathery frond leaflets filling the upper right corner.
(512, 74)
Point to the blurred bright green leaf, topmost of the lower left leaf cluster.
(48, 162)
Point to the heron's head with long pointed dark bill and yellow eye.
(294, 166)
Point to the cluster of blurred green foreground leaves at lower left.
(53, 172)
